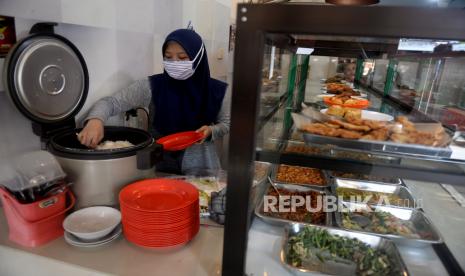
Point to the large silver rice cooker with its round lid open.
(47, 80)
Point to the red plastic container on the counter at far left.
(48, 222)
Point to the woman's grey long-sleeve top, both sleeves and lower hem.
(198, 157)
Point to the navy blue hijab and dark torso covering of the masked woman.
(183, 105)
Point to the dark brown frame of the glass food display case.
(253, 23)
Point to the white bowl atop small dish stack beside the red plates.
(93, 222)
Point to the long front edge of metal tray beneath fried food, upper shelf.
(378, 146)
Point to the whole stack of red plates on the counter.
(160, 212)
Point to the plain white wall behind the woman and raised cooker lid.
(120, 40)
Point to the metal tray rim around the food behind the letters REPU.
(259, 212)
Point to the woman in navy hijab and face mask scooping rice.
(183, 98)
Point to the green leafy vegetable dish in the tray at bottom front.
(318, 247)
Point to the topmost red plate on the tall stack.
(158, 195)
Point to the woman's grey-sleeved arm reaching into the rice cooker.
(135, 95)
